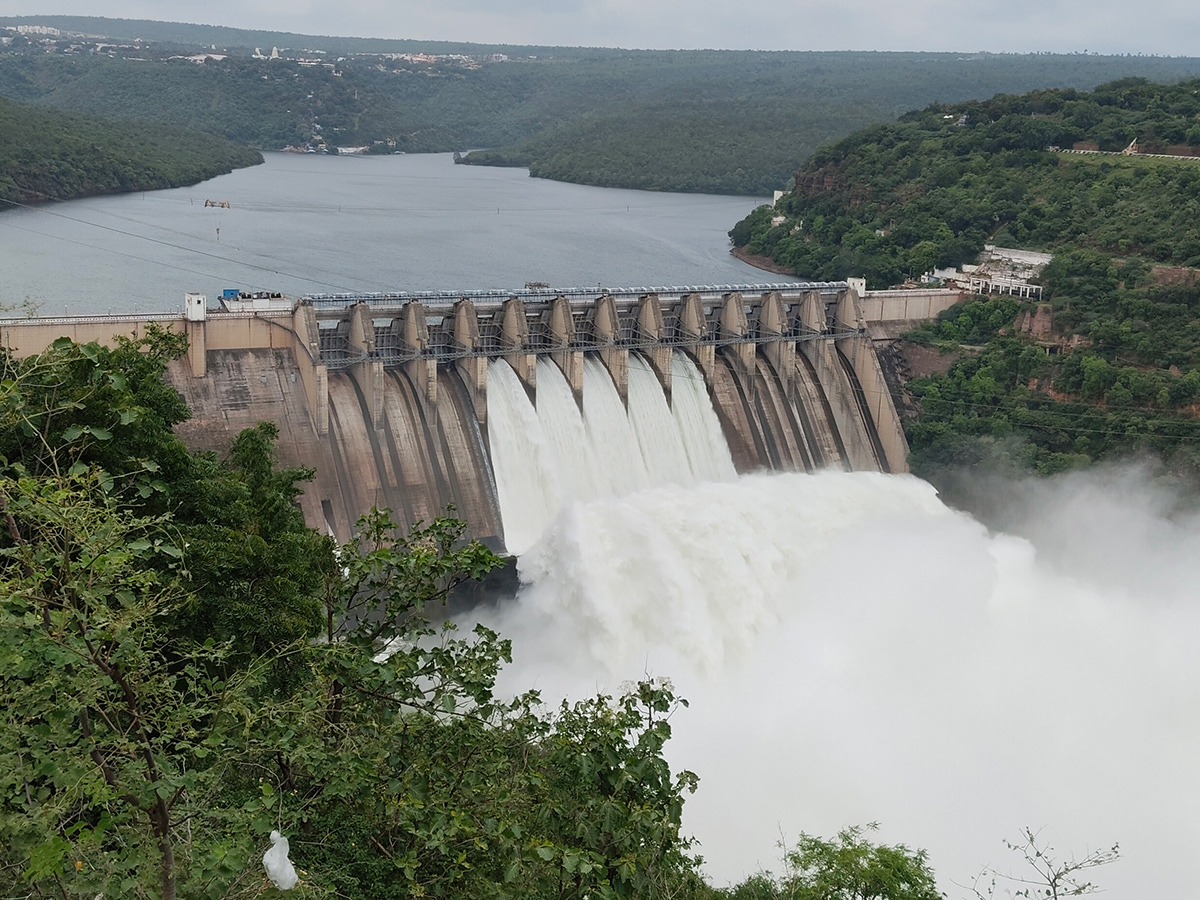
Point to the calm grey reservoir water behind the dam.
(308, 224)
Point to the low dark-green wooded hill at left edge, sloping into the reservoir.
(53, 155)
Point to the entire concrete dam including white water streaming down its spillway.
(469, 400)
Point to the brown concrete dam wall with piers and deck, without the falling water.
(386, 395)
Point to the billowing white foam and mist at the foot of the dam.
(856, 652)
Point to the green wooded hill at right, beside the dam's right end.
(1119, 371)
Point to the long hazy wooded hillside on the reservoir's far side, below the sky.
(679, 121)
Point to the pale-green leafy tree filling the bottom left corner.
(117, 741)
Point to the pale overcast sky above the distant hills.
(1150, 27)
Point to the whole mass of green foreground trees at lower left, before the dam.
(145, 757)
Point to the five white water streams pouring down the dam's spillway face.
(551, 457)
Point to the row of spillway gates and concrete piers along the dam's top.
(547, 321)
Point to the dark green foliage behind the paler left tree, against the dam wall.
(255, 573)
